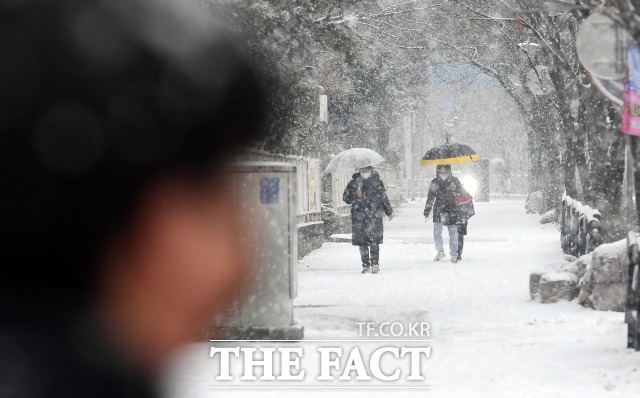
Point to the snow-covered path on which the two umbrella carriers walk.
(488, 338)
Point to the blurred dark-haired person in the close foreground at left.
(120, 240)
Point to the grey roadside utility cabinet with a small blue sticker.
(269, 200)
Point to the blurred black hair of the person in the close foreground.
(97, 98)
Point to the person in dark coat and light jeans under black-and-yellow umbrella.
(440, 200)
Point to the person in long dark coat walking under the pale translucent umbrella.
(368, 197)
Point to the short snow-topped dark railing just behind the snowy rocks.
(581, 227)
